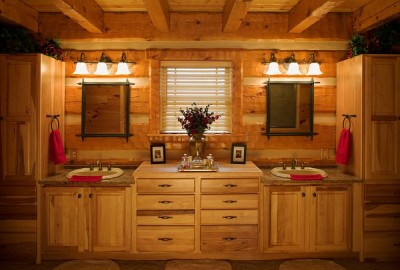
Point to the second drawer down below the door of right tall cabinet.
(382, 217)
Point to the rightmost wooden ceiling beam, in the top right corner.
(375, 13)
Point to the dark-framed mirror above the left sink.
(105, 109)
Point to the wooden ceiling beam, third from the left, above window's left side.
(158, 11)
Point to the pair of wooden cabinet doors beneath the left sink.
(86, 219)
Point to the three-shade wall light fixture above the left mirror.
(103, 66)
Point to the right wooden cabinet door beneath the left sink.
(110, 216)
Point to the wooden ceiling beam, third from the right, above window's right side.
(233, 14)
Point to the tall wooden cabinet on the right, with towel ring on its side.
(368, 86)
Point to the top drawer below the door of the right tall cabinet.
(382, 193)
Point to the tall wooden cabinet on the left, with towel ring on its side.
(31, 87)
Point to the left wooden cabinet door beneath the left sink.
(63, 216)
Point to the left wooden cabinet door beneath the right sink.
(285, 218)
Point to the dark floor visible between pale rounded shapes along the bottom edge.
(236, 265)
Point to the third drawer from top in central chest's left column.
(165, 217)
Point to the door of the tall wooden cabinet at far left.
(18, 130)
